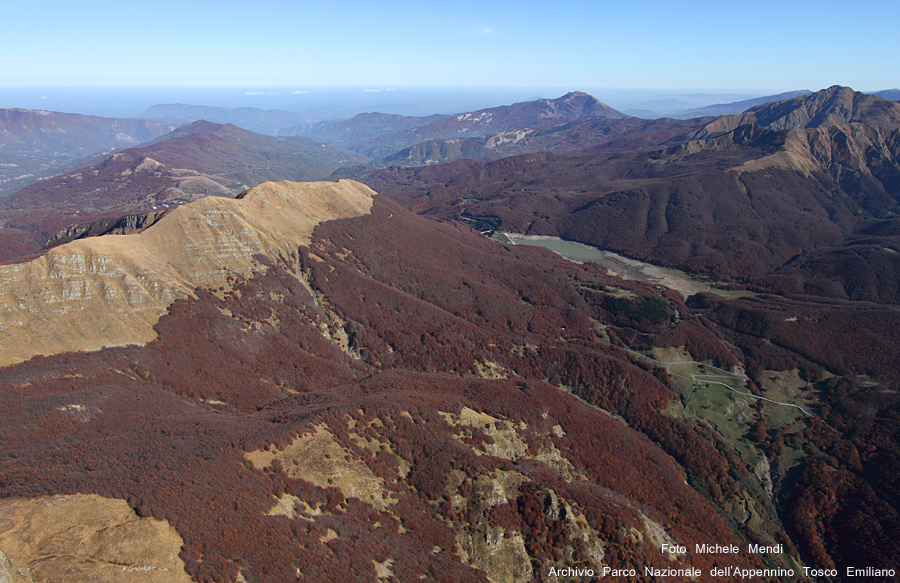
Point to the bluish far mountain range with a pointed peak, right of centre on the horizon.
(573, 122)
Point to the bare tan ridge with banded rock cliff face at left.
(110, 291)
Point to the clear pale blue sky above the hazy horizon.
(727, 44)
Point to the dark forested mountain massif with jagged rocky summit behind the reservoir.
(810, 178)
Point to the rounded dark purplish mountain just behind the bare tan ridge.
(194, 161)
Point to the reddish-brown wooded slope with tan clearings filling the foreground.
(390, 400)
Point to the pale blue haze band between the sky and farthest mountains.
(320, 103)
